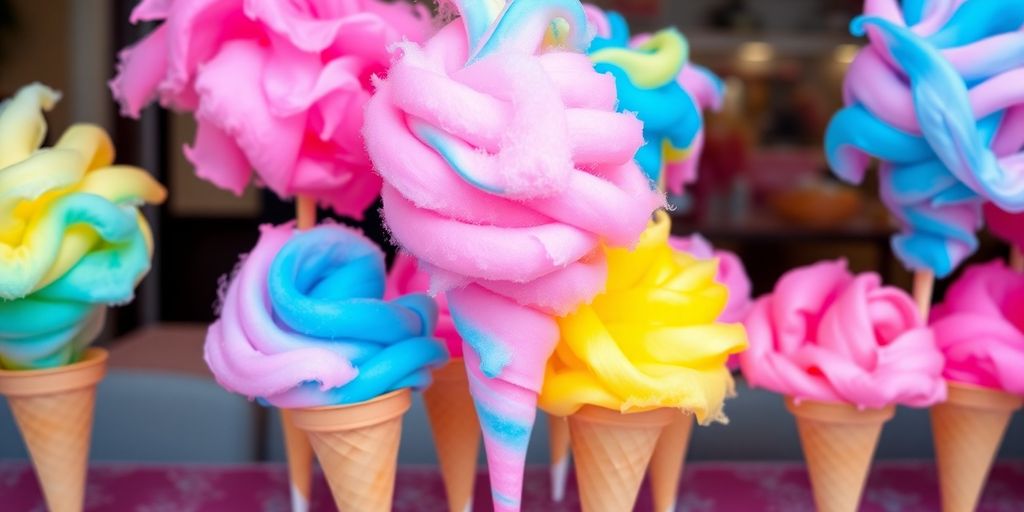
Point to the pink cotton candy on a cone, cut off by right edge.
(980, 328)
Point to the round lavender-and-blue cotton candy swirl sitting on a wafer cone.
(304, 323)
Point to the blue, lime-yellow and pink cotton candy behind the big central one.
(656, 80)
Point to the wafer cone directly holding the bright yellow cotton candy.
(612, 452)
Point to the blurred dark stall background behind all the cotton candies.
(764, 192)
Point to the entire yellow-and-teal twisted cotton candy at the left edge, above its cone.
(72, 240)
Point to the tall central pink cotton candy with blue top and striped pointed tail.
(506, 166)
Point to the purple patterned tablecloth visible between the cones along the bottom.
(706, 487)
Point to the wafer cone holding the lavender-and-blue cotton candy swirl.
(358, 447)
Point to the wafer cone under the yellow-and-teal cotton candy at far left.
(54, 410)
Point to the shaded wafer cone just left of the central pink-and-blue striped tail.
(457, 433)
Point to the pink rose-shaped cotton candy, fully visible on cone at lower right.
(828, 335)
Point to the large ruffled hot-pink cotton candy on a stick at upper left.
(276, 88)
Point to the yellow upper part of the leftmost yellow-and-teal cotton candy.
(39, 243)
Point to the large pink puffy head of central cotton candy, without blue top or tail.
(532, 231)
